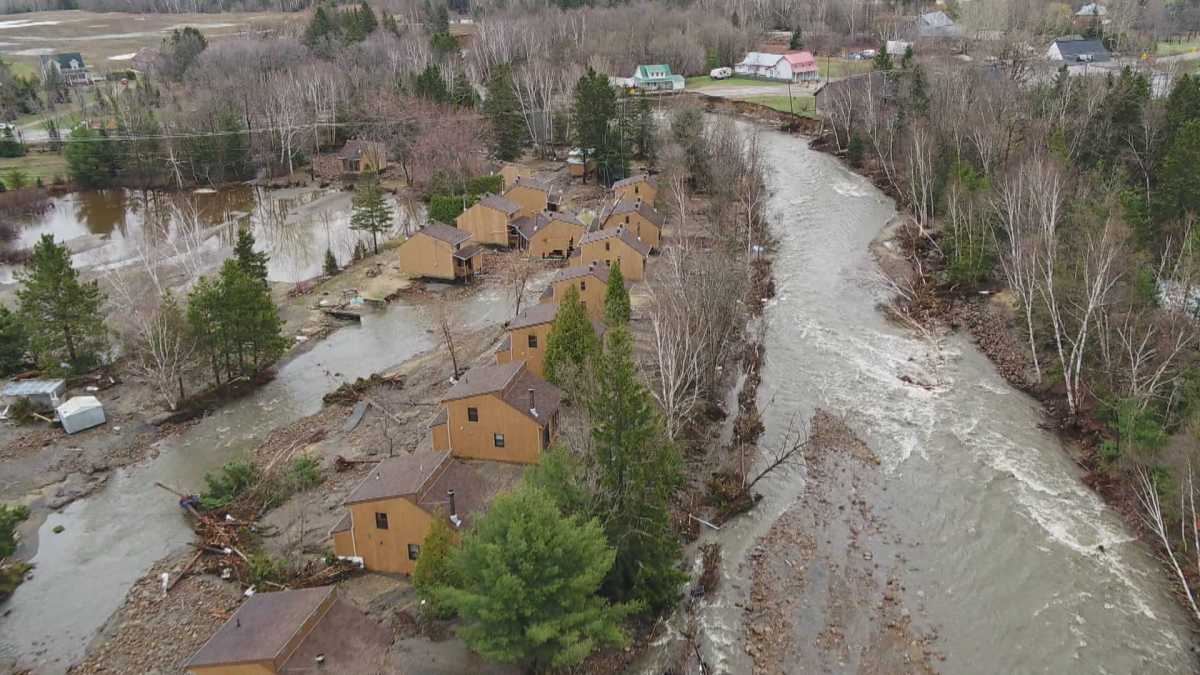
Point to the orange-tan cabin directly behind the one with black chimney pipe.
(501, 414)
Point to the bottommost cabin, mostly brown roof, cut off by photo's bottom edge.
(293, 632)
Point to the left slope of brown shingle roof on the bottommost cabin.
(262, 628)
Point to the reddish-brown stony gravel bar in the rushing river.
(829, 577)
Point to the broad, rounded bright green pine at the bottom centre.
(530, 581)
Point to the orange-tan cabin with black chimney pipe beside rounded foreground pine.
(393, 510)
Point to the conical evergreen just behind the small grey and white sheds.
(62, 315)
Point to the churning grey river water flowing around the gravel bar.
(1004, 543)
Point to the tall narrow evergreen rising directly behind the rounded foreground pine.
(639, 471)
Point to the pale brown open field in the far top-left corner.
(110, 40)
